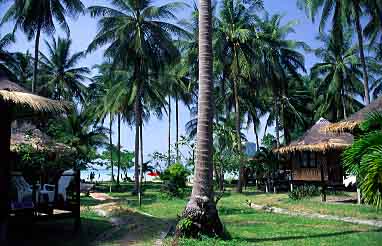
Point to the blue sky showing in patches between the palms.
(155, 132)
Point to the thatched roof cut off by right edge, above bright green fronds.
(353, 121)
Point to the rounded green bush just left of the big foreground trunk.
(175, 179)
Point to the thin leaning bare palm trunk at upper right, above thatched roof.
(357, 10)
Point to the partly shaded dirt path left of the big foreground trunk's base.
(130, 227)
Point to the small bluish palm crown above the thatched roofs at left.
(62, 80)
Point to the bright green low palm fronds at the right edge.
(364, 159)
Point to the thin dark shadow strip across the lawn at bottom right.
(286, 238)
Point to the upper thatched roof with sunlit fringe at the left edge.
(12, 93)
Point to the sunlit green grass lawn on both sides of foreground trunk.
(248, 226)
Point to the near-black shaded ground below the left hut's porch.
(55, 232)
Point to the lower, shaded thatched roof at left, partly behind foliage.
(28, 134)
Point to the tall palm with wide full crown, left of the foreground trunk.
(140, 38)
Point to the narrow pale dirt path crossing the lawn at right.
(376, 223)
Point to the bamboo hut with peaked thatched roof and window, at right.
(315, 157)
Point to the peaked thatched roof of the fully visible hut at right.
(315, 140)
